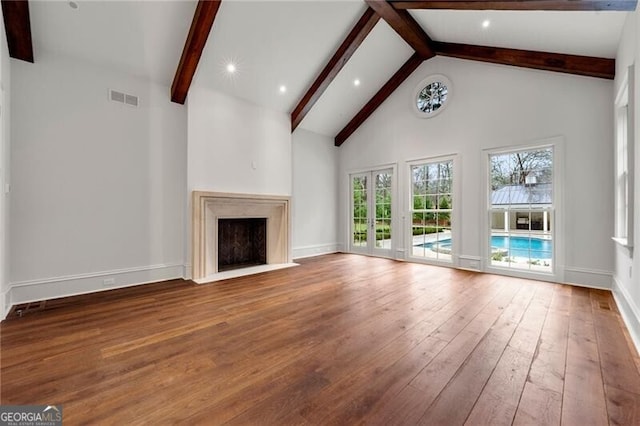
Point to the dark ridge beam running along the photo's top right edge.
(576, 5)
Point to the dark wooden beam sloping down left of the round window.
(389, 87)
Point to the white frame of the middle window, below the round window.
(455, 211)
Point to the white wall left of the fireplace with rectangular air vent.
(98, 187)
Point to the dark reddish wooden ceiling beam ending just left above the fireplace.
(201, 25)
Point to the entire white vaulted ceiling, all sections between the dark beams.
(276, 43)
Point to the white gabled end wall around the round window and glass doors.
(498, 106)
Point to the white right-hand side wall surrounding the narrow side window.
(627, 265)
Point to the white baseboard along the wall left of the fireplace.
(73, 285)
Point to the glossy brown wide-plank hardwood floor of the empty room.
(342, 339)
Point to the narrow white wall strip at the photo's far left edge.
(5, 89)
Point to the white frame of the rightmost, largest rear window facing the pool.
(557, 273)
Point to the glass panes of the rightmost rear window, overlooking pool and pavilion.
(521, 209)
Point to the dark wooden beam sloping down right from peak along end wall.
(570, 64)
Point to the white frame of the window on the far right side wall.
(624, 161)
